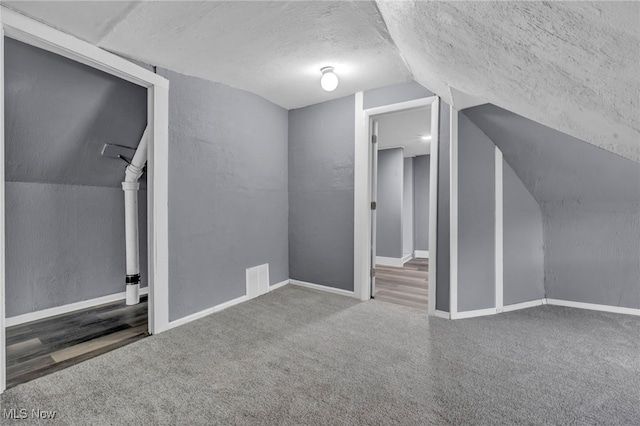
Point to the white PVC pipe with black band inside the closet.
(130, 186)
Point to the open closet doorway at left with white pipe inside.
(65, 212)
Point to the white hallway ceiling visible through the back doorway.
(405, 129)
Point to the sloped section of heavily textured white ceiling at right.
(572, 66)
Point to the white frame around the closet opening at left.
(28, 31)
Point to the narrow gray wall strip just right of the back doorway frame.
(443, 241)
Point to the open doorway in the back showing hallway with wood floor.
(400, 219)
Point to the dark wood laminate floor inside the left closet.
(41, 347)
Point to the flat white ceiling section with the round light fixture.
(273, 49)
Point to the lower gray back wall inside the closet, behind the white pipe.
(65, 244)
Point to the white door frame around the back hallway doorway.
(362, 193)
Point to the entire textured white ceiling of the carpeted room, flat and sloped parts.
(572, 66)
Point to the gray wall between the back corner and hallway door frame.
(321, 193)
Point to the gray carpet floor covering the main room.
(296, 356)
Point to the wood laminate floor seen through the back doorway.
(406, 286)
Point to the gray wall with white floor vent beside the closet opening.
(228, 204)
